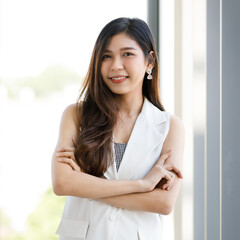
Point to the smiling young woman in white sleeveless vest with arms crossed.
(119, 154)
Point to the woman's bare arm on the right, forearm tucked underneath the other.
(158, 200)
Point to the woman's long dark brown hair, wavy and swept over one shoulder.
(97, 108)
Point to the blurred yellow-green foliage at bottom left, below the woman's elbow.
(43, 222)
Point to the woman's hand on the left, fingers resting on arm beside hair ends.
(66, 155)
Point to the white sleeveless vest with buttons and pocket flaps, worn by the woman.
(93, 220)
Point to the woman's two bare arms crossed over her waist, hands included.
(139, 194)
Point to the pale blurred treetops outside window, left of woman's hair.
(53, 79)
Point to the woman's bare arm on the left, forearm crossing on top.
(66, 181)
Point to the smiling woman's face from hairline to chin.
(124, 65)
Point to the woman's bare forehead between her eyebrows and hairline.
(121, 41)
